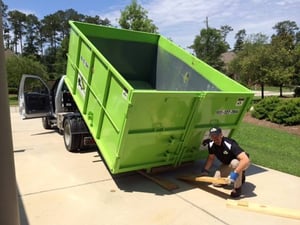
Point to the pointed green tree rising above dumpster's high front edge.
(134, 17)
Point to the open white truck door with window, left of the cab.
(34, 97)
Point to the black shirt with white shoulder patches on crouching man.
(227, 151)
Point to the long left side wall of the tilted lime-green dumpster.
(95, 86)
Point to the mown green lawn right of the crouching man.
(270, 148)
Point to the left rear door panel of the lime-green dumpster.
(155, 129)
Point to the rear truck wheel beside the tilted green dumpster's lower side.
(72, 141)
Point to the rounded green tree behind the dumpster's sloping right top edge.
(209, 45)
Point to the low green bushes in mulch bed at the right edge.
(278, 111)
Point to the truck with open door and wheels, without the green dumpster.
(56, 107)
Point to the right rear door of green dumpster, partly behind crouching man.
(225, 110)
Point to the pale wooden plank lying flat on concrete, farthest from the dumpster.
(266, 209)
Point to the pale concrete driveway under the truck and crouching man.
(57, 187)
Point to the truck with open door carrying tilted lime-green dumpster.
(141, 99)
